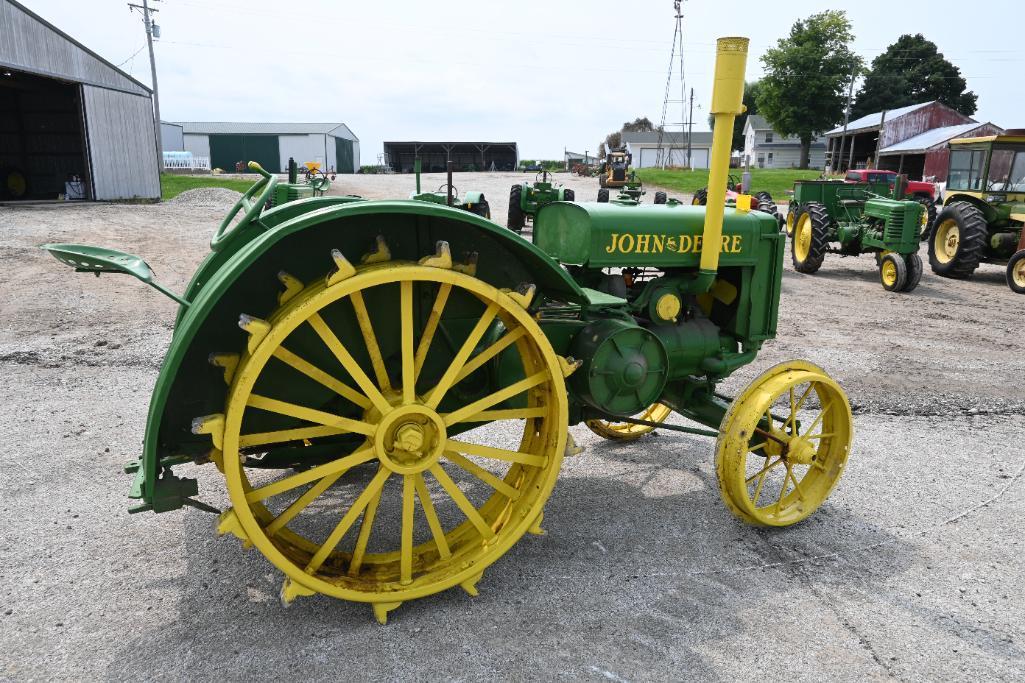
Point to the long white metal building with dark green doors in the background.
(226, 144)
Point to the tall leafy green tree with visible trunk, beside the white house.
(804, 91)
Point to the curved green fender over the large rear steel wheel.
(190, 387)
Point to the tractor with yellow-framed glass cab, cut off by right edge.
(983, 210)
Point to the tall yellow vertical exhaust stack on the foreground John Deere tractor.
(727, 103)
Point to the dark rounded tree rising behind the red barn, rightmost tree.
(913, 71)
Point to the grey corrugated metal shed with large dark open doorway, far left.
(71, 123)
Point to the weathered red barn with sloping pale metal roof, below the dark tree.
(864, 139)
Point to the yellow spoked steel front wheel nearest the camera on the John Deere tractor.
(784, 446)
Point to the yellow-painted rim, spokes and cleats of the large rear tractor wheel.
(405, 439)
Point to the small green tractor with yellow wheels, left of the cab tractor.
(850, 220)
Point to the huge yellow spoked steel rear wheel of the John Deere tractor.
(419, 505)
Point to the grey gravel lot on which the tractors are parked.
(913, 571)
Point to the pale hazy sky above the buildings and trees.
(547, 75)
